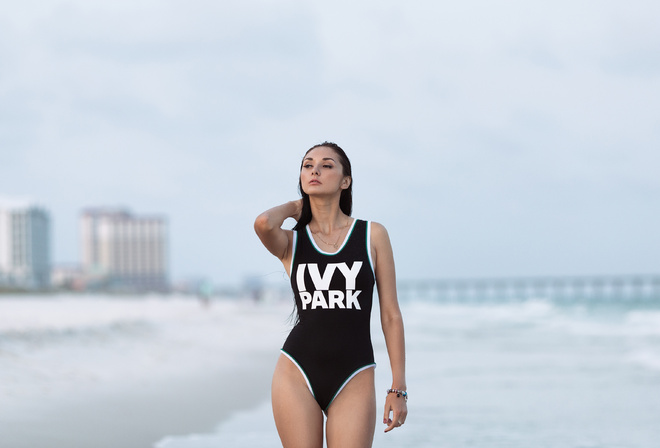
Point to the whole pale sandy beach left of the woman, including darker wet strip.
(151, 370)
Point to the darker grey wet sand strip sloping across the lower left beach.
(139, 414)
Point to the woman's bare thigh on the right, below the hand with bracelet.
(352, 415)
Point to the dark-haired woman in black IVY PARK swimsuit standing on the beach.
(326, 364)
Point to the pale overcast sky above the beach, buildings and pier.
(490, 138)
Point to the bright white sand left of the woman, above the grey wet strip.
(55, 349)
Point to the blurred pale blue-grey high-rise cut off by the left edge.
(24, 246)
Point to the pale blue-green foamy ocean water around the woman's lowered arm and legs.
(517, 374)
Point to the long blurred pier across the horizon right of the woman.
(578, 288)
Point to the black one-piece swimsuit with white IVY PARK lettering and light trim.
(331, 342)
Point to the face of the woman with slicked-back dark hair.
(322, 172)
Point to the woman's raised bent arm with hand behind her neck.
(268, 226)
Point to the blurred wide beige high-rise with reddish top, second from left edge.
(123, 251)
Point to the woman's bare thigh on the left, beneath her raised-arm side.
(298, 417)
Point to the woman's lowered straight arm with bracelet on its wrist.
(392, 323)
